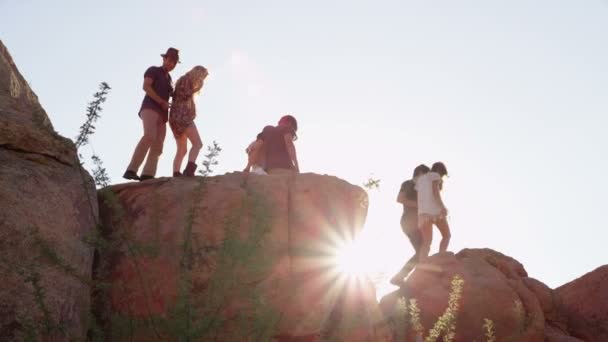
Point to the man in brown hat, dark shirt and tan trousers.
(154, 114)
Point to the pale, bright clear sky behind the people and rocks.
(511, 95)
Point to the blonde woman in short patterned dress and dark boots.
(181, 119)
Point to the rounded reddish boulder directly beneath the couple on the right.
(492, 288)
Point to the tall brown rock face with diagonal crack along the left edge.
(48, 207)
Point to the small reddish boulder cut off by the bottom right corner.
(585, 305)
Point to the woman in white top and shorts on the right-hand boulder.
(431, 210)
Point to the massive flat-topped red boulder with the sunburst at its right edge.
(231, 257)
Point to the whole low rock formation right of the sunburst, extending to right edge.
(497, 288)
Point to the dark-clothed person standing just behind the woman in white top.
(408, 197)
